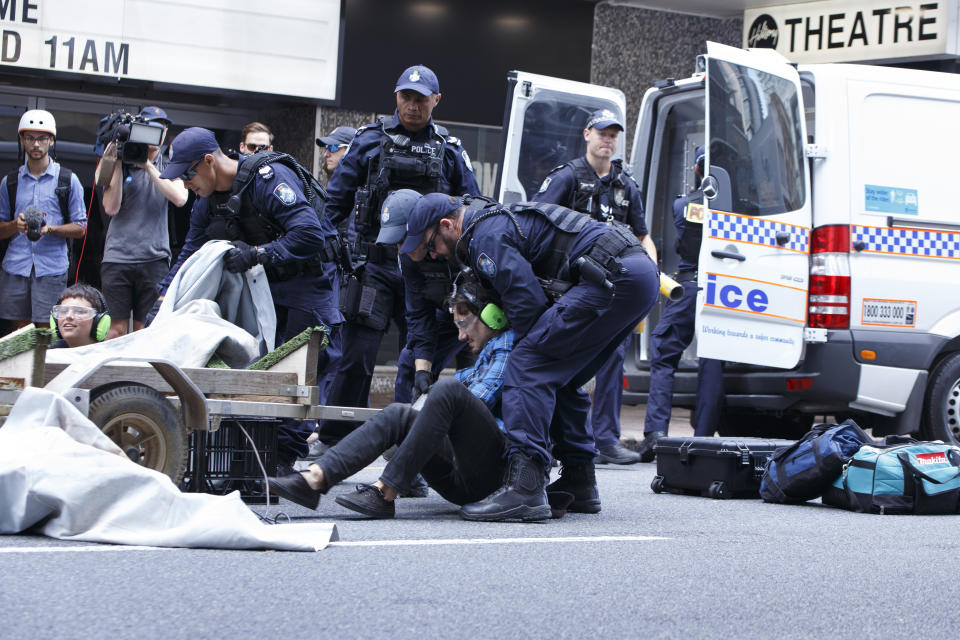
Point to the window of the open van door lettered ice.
(755, 139)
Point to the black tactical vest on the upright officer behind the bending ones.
(401, 164)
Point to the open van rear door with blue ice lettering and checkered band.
(754, 259)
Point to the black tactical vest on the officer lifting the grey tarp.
(237, 219)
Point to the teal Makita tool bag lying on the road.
(900, 477)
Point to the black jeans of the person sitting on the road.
(454, 442)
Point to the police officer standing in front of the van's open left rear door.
(600, 186)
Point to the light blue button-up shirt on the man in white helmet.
(48, 255)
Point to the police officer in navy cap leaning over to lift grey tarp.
(266, 205)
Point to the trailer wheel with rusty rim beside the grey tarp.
(145, 425)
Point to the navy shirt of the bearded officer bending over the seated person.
(501, 255)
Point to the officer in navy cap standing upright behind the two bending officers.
(405, 150)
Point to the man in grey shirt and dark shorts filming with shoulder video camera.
(136, 252)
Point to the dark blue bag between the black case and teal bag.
(806, 469)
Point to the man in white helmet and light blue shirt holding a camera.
(35, 266)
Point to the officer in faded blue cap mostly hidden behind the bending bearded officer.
(431, 334)
